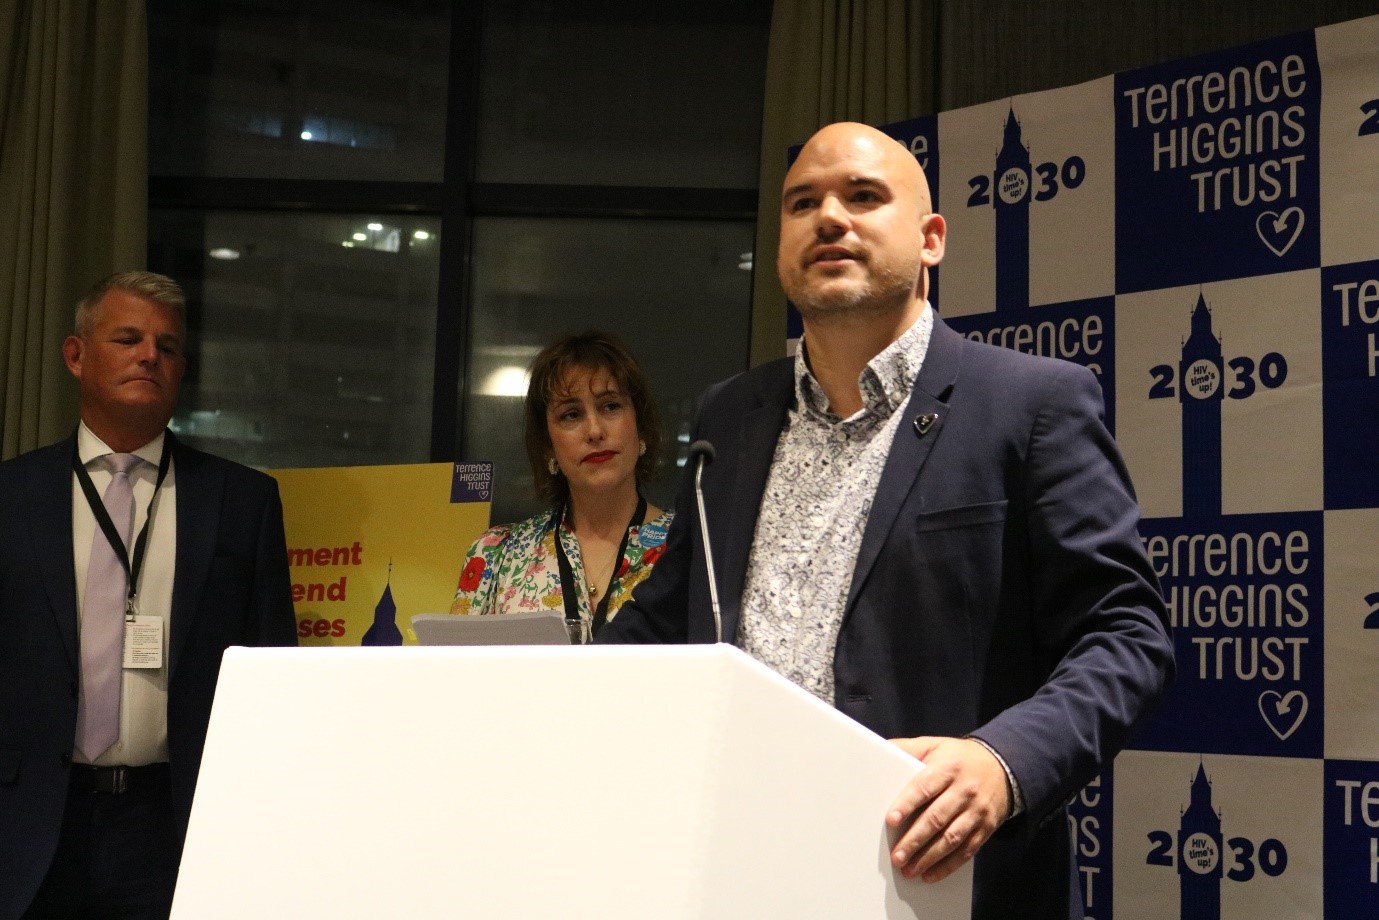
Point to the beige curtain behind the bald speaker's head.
(868, 61)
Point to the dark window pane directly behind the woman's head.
(676, 292)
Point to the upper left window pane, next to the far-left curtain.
(303, 89)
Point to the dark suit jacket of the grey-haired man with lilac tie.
(232, 588)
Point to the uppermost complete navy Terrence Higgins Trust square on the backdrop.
(1224, 150)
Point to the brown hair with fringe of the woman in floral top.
(592, 351)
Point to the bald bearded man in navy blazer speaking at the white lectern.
(936, 536)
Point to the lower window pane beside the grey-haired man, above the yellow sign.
(312, 339)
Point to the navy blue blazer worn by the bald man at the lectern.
(1002, 590)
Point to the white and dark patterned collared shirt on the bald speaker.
(816, 507)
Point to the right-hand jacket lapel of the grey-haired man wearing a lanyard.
(199, 494)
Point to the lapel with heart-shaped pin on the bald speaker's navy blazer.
(915, 439)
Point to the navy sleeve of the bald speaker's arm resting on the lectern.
(1097, 609)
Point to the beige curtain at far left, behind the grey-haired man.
(74, 190)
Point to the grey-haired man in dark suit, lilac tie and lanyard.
(101, 741)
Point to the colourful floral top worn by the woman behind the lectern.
(514, 569)
